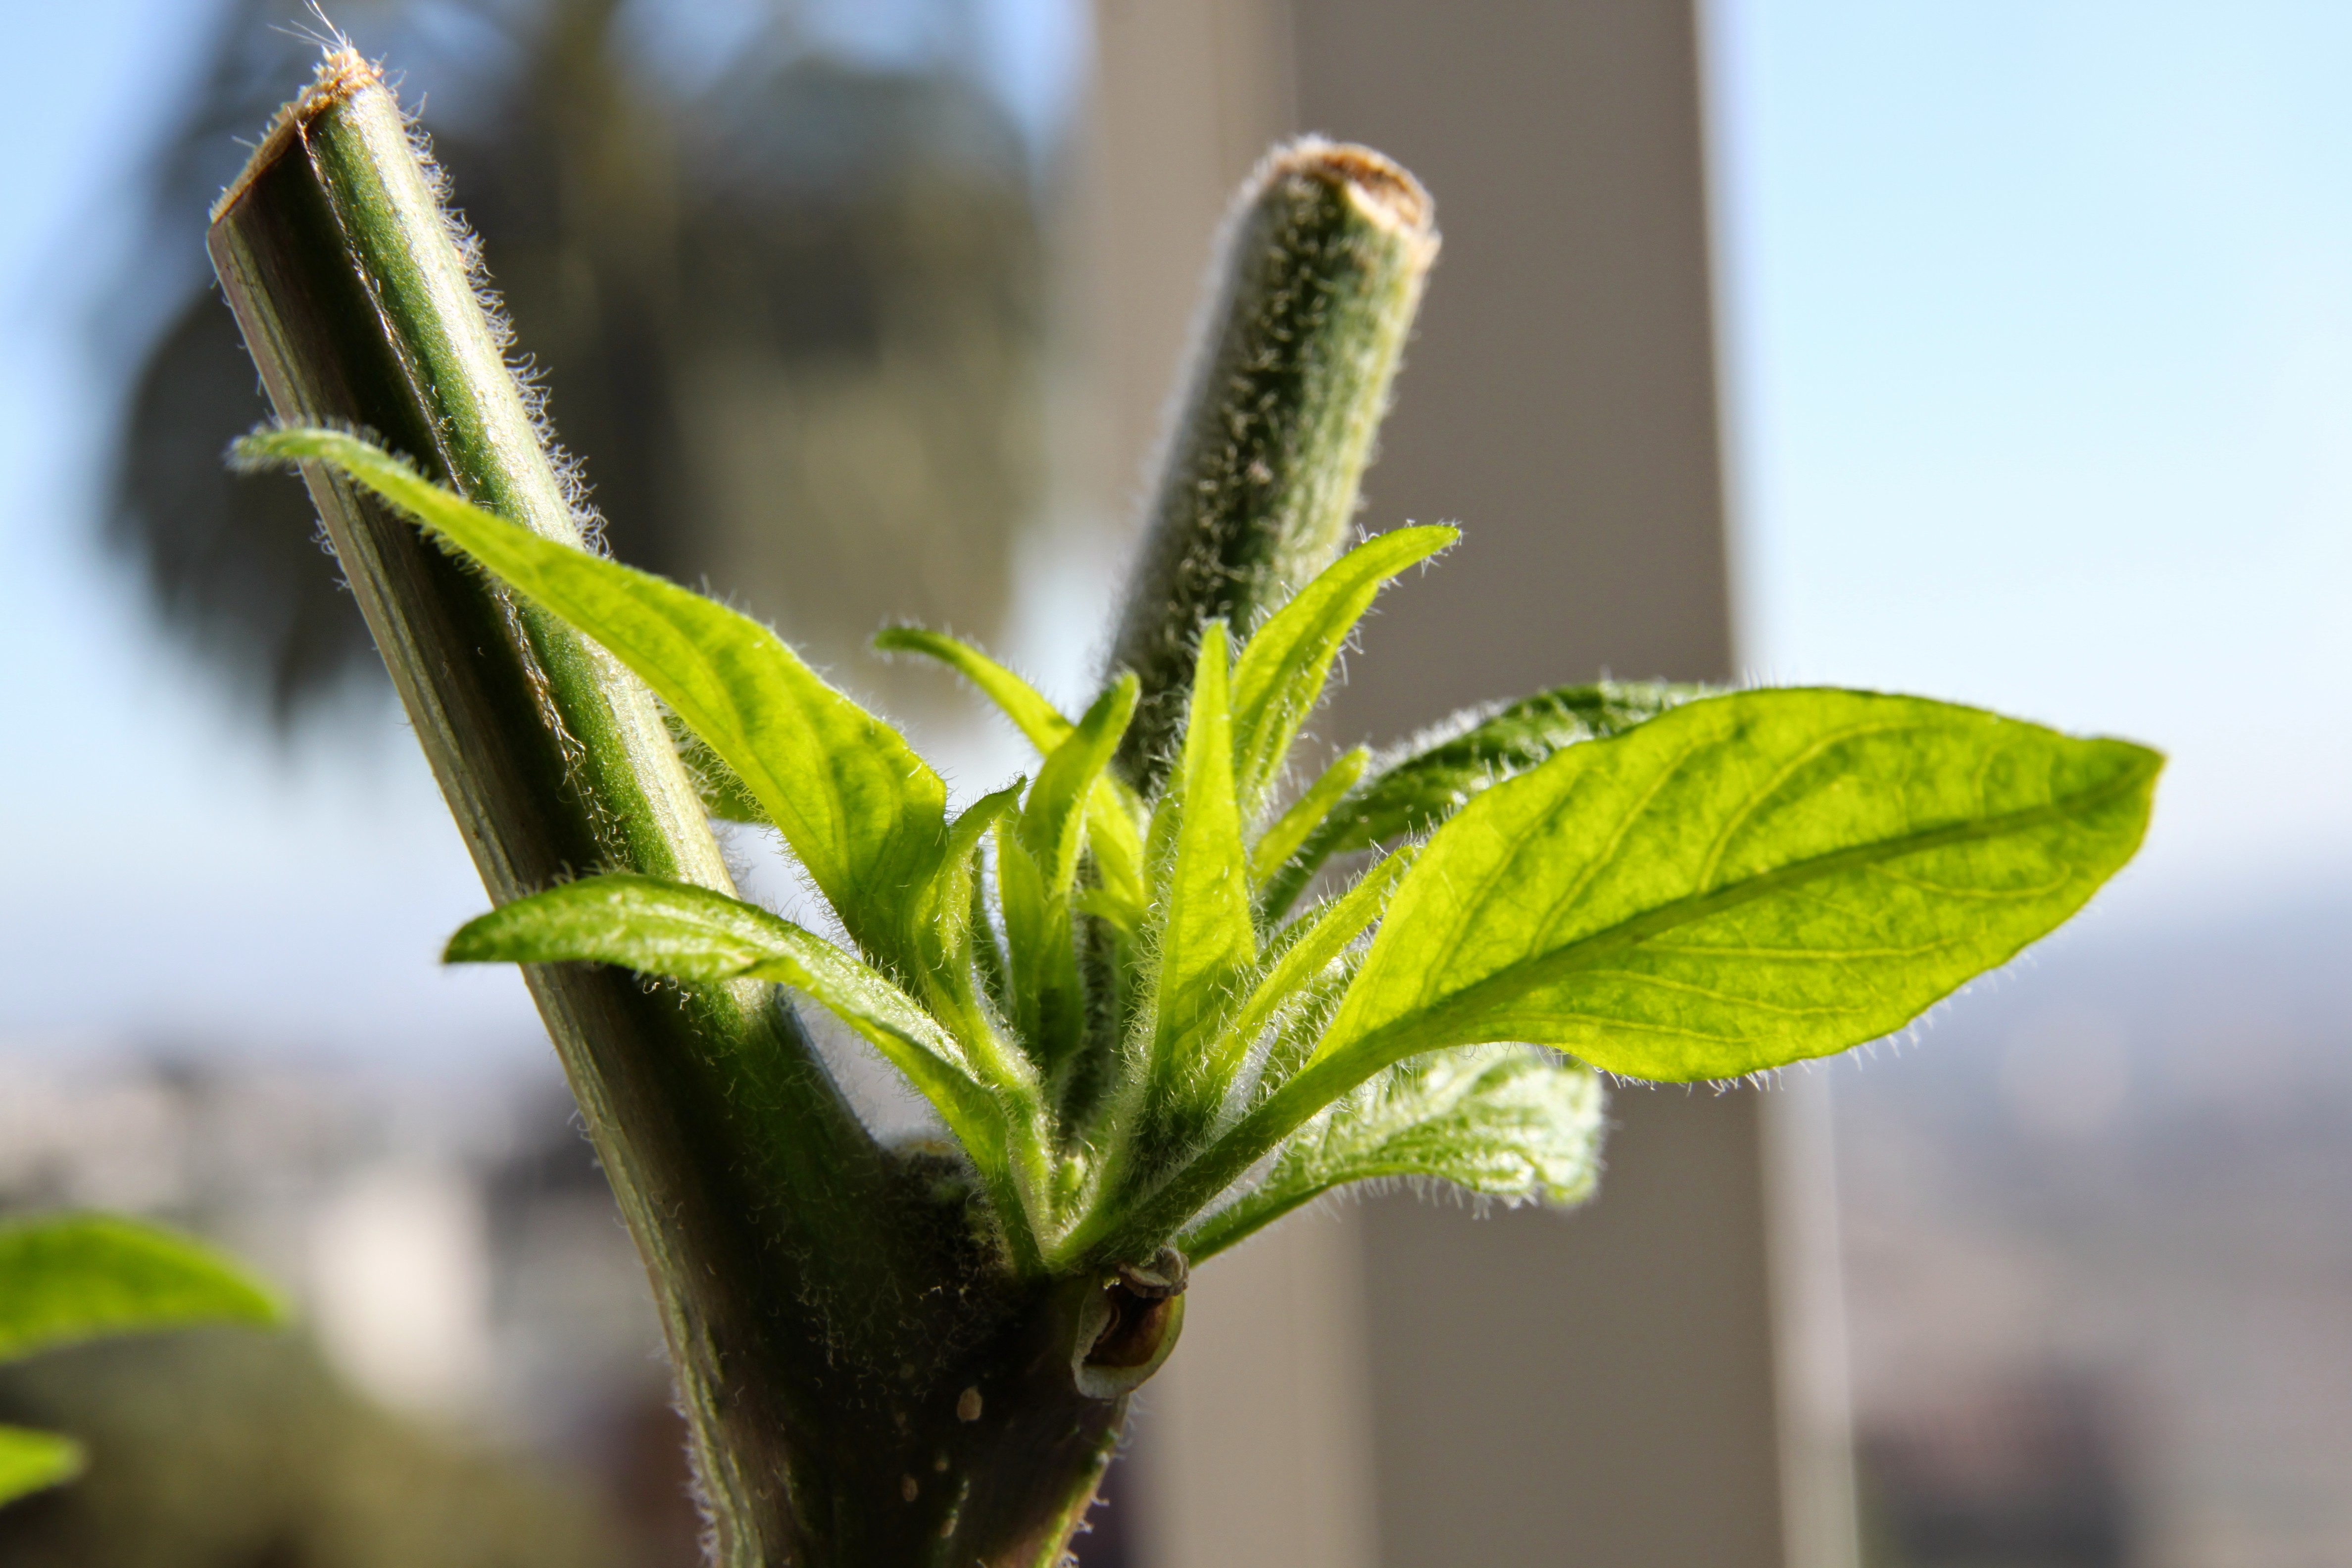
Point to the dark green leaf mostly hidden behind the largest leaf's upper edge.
(1431, 777)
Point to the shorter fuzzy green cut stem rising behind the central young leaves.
(1323, 272)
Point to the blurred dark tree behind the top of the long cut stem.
(789, 304)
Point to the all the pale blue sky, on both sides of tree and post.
(2038, 335)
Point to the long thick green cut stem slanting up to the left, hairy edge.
(796, 1264)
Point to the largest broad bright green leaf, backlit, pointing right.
(1744, 883)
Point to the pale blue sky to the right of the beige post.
(2038, 337)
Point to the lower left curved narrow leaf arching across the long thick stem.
(693, 934)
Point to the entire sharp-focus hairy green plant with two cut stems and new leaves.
(1161, 991)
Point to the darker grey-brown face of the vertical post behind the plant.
(1598, 1388)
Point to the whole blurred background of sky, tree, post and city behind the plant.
(1984, 351)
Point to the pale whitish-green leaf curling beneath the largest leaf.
(1495, 1120)
